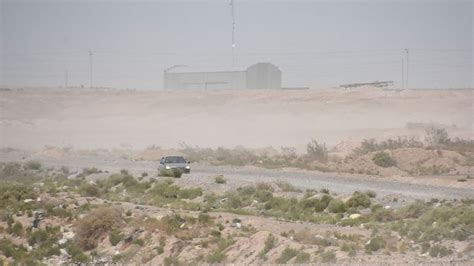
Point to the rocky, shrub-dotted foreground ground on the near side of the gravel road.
(121, 216)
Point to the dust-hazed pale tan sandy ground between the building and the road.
(89, 119)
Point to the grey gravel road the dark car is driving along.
(203, 175)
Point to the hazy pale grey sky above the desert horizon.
(315, 43)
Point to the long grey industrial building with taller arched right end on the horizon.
(257, 77)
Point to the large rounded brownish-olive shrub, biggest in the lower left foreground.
(94, 225)
